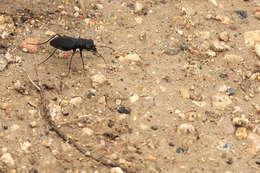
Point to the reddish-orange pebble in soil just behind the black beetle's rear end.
(27, 45)
